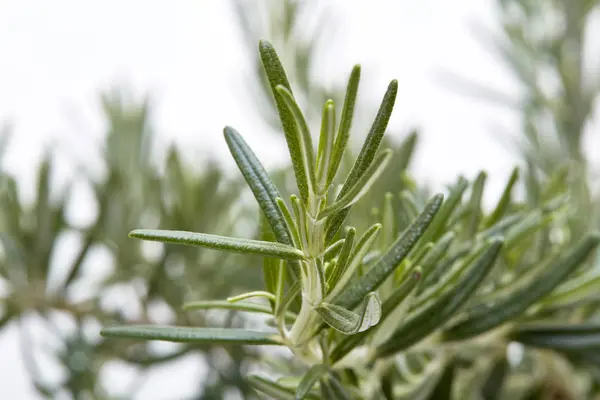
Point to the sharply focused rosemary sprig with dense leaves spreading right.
(433, 290)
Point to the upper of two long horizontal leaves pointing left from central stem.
(237, 245)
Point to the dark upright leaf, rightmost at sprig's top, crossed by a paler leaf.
(366, 155)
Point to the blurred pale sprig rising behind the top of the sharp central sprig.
(304, 35)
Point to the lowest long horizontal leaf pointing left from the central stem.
(192, 335)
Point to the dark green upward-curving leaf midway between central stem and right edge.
(434, 314)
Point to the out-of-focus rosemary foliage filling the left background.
(49, 259)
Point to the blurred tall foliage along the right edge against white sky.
(550, 50)
